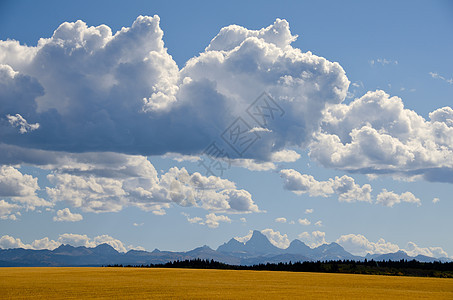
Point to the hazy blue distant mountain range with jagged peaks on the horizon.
(255, 251)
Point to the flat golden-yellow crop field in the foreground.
(135, 283)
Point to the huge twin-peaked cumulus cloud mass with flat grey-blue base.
(87, 89)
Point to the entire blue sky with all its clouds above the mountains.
(86, 116)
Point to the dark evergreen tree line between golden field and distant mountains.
(396, 268)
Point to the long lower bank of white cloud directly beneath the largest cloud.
(108, 182)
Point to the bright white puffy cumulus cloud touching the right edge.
(375, 134)
